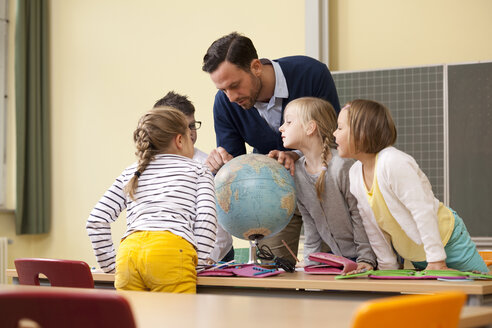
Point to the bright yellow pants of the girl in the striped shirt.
(159, 261)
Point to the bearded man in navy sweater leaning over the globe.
(249, 106)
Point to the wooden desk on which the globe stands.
(303, 285)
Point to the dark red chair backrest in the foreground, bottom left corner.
(50, 308)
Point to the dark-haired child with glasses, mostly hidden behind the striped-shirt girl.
(223, 249)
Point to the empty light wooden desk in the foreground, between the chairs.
(179, 310)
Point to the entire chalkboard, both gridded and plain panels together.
(443, 115)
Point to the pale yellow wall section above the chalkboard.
(384, 33)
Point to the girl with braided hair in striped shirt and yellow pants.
(170, 210)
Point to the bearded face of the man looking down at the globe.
(240, 86)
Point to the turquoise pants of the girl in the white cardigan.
(461, 251)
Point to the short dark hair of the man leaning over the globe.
(234, 48)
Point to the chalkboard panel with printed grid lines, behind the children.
(415, 98)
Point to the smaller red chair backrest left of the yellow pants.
(60, 273)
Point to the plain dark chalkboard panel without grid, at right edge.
(470, 145)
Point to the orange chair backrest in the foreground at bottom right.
(440, 310)
